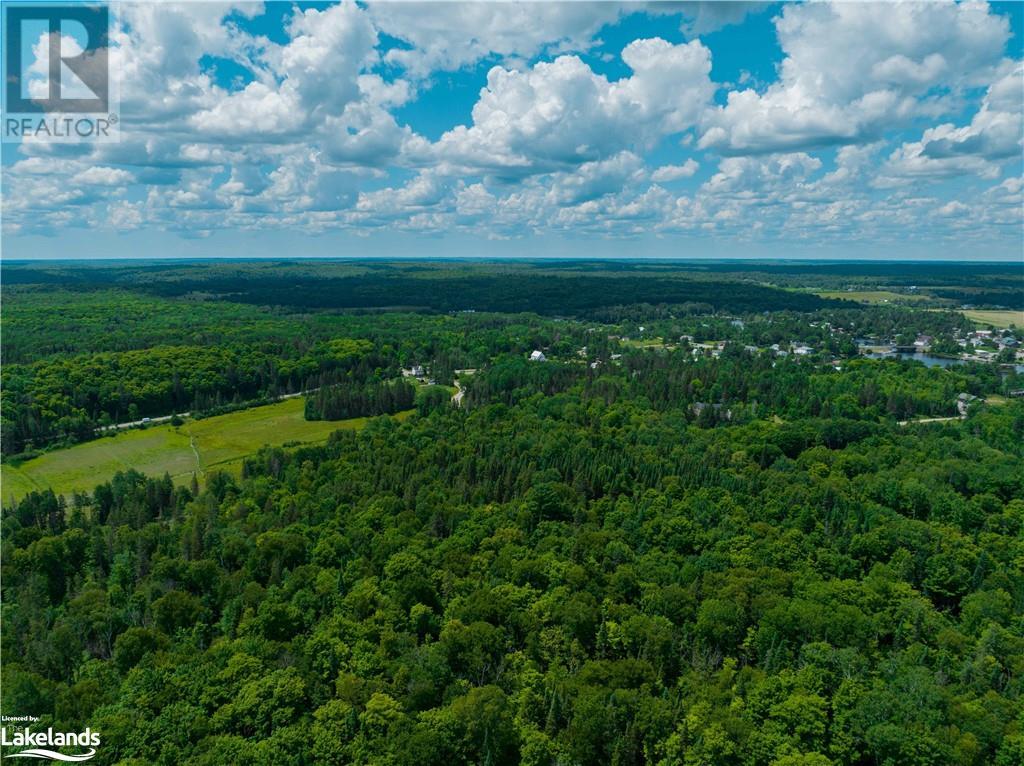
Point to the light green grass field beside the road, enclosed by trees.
(221, 444)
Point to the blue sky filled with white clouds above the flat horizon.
(565, 130)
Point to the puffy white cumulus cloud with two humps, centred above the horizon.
(562, 113)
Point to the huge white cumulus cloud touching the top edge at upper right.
(855, 70)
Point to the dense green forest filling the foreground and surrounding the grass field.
(668, 544)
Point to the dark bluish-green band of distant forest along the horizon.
(546, 287)
